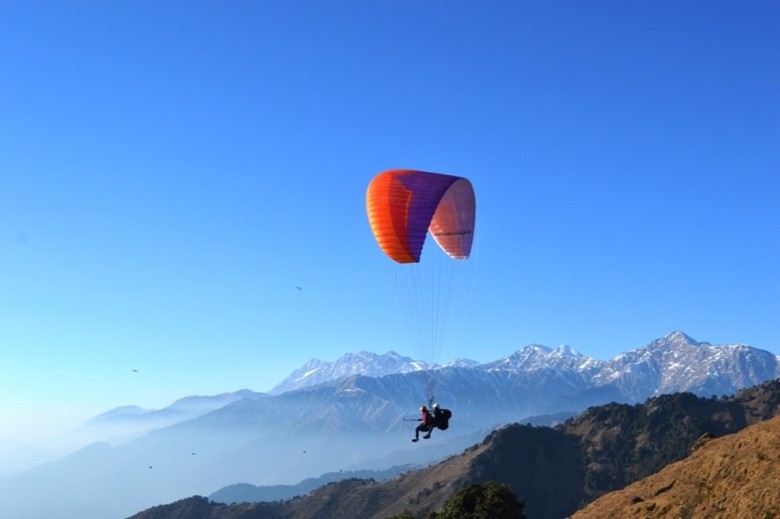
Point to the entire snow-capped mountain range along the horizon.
(670, 364)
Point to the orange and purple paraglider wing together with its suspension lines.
(403, 206)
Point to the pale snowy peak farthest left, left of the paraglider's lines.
(363, 363)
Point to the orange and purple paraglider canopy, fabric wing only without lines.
(403, 205)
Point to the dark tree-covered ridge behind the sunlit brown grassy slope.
(554, 470)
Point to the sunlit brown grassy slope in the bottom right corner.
(733, 476)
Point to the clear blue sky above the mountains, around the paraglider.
(169, 172)
